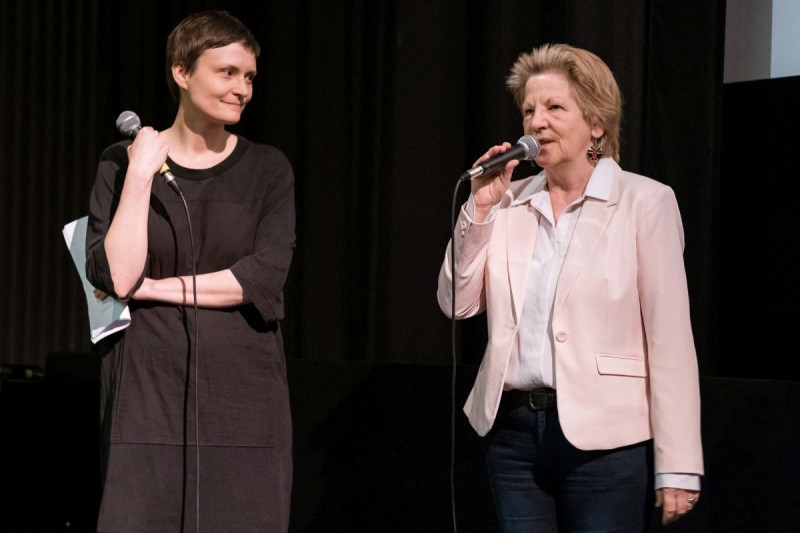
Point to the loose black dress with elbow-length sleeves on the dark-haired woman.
(230, 360)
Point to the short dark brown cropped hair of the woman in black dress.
(197, 33)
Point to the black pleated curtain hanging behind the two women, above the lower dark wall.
(380, 106)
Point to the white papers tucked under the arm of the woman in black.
(106, 316)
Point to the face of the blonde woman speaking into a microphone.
(551, 114)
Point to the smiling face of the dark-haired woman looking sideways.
(218, 86)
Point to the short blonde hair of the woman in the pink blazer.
(592, 82)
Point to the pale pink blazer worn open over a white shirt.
(625, 362)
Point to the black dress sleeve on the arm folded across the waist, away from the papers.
(262, 274)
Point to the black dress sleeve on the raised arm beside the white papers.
(102, 206)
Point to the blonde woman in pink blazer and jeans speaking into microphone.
(588, 391)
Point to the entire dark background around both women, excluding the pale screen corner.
(380, 106)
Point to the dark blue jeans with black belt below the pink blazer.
(541, 483)
